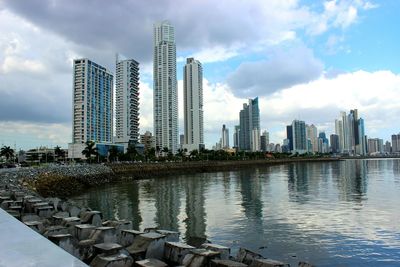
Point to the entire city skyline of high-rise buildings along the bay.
(93, 113)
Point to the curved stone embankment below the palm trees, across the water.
(65, 181)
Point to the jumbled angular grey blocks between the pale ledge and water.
(83, 233)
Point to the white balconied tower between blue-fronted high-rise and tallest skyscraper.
(127, 102)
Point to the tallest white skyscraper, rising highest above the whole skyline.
(165, 93)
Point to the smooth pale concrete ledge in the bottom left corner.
(20, 246)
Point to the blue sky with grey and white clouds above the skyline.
(305, 60)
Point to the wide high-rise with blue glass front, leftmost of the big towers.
(92, 106)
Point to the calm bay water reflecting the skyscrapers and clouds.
(330, 214)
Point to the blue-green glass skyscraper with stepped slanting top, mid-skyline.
(249, 136)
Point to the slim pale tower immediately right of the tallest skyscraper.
(193, 105)
